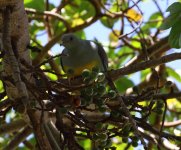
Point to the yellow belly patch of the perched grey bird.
(77, 71)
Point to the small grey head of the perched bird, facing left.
(69, 40)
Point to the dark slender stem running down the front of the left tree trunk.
(19, 84)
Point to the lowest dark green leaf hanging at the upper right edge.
(175, 35)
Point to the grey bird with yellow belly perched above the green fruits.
(81, 54)
